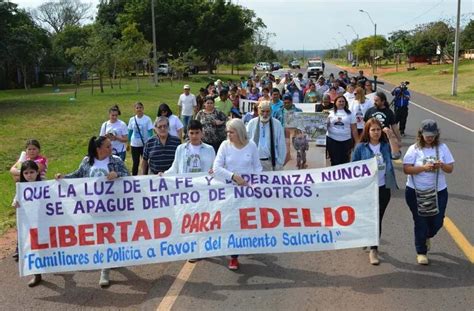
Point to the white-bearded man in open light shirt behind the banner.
(268, 134)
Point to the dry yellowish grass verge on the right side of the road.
(436, 81)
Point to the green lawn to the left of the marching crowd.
(63, 127)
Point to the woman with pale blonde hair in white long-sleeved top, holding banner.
(236, 156)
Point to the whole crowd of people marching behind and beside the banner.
(212, 132)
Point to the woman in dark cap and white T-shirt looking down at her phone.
(426, 162)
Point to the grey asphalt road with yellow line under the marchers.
(336, 280)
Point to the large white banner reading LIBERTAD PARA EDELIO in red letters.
(92, 223)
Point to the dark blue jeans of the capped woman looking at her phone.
(426, 227)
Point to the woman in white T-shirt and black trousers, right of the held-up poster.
(341, 129)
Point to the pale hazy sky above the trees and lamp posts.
(322, 24)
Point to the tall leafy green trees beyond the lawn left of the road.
(52, 44)
